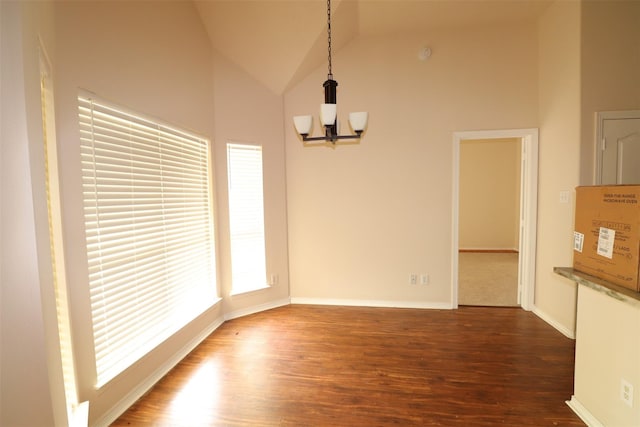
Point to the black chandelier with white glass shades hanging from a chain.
(328, 110)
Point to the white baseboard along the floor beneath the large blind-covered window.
(144, 386)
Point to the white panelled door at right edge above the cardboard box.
(619, 150)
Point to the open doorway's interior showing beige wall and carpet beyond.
(489, 222)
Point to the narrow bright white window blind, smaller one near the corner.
(246, 217)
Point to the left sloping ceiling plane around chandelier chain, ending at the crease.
(277, 42)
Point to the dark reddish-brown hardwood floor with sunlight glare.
(352, 366)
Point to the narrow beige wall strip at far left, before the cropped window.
(30, 380)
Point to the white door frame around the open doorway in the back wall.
(528, 209)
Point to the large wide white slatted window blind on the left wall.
(149, 231)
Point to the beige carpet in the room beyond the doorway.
(488, 279)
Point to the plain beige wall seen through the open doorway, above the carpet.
(489, 205)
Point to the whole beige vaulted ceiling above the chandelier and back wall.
(279, 42)
